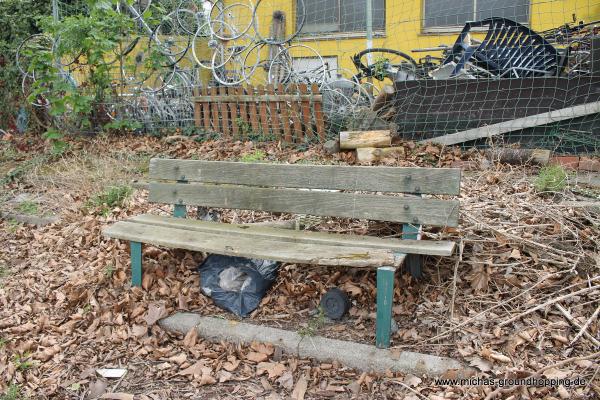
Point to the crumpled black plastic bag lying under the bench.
(237, 284)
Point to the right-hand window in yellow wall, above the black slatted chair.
(440, 13)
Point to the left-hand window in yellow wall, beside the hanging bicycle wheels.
(323, 16)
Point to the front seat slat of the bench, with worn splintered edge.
(254, 247)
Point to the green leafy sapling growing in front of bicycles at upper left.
(94, 50)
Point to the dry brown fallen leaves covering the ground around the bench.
(68, 301)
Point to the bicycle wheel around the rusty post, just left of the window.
(275, 33)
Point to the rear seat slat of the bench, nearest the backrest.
(426, 247)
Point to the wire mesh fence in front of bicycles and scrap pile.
(454, 71)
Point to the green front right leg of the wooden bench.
(385, 300)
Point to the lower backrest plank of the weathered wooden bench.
(335, 204)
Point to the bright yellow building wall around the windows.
(404, 26)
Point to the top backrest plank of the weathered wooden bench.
(372, 179)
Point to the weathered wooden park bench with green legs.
(334, 191)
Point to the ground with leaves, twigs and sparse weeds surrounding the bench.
(520, 298)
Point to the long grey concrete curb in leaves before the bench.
(354, 355)
